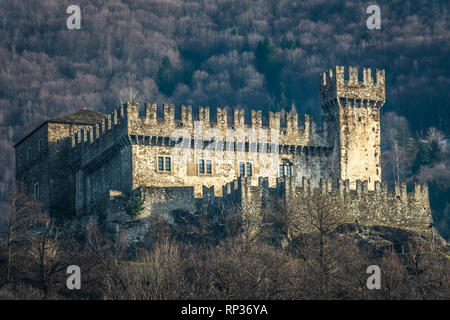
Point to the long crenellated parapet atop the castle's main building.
(130, 120)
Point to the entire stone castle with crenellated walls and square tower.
(173, 158)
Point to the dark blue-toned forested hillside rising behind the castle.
(263, 53)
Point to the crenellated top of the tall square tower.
(347, 84)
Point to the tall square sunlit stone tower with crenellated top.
(351, 116)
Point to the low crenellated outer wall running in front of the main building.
(395, 208)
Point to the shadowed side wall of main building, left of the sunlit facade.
(101, 160)
